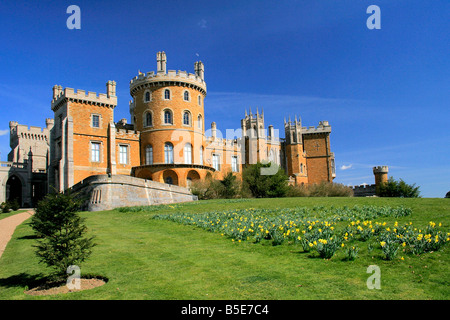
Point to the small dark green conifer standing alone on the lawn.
(60, 231)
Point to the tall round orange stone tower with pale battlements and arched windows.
(168, 109)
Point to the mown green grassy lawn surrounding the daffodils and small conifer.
(145, 258)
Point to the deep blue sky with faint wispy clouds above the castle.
(385, 92)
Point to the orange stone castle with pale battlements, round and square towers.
(165, 141)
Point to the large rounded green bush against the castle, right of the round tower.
(265, 186)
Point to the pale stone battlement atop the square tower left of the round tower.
(108, 99)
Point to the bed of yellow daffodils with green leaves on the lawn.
(320, 228)
